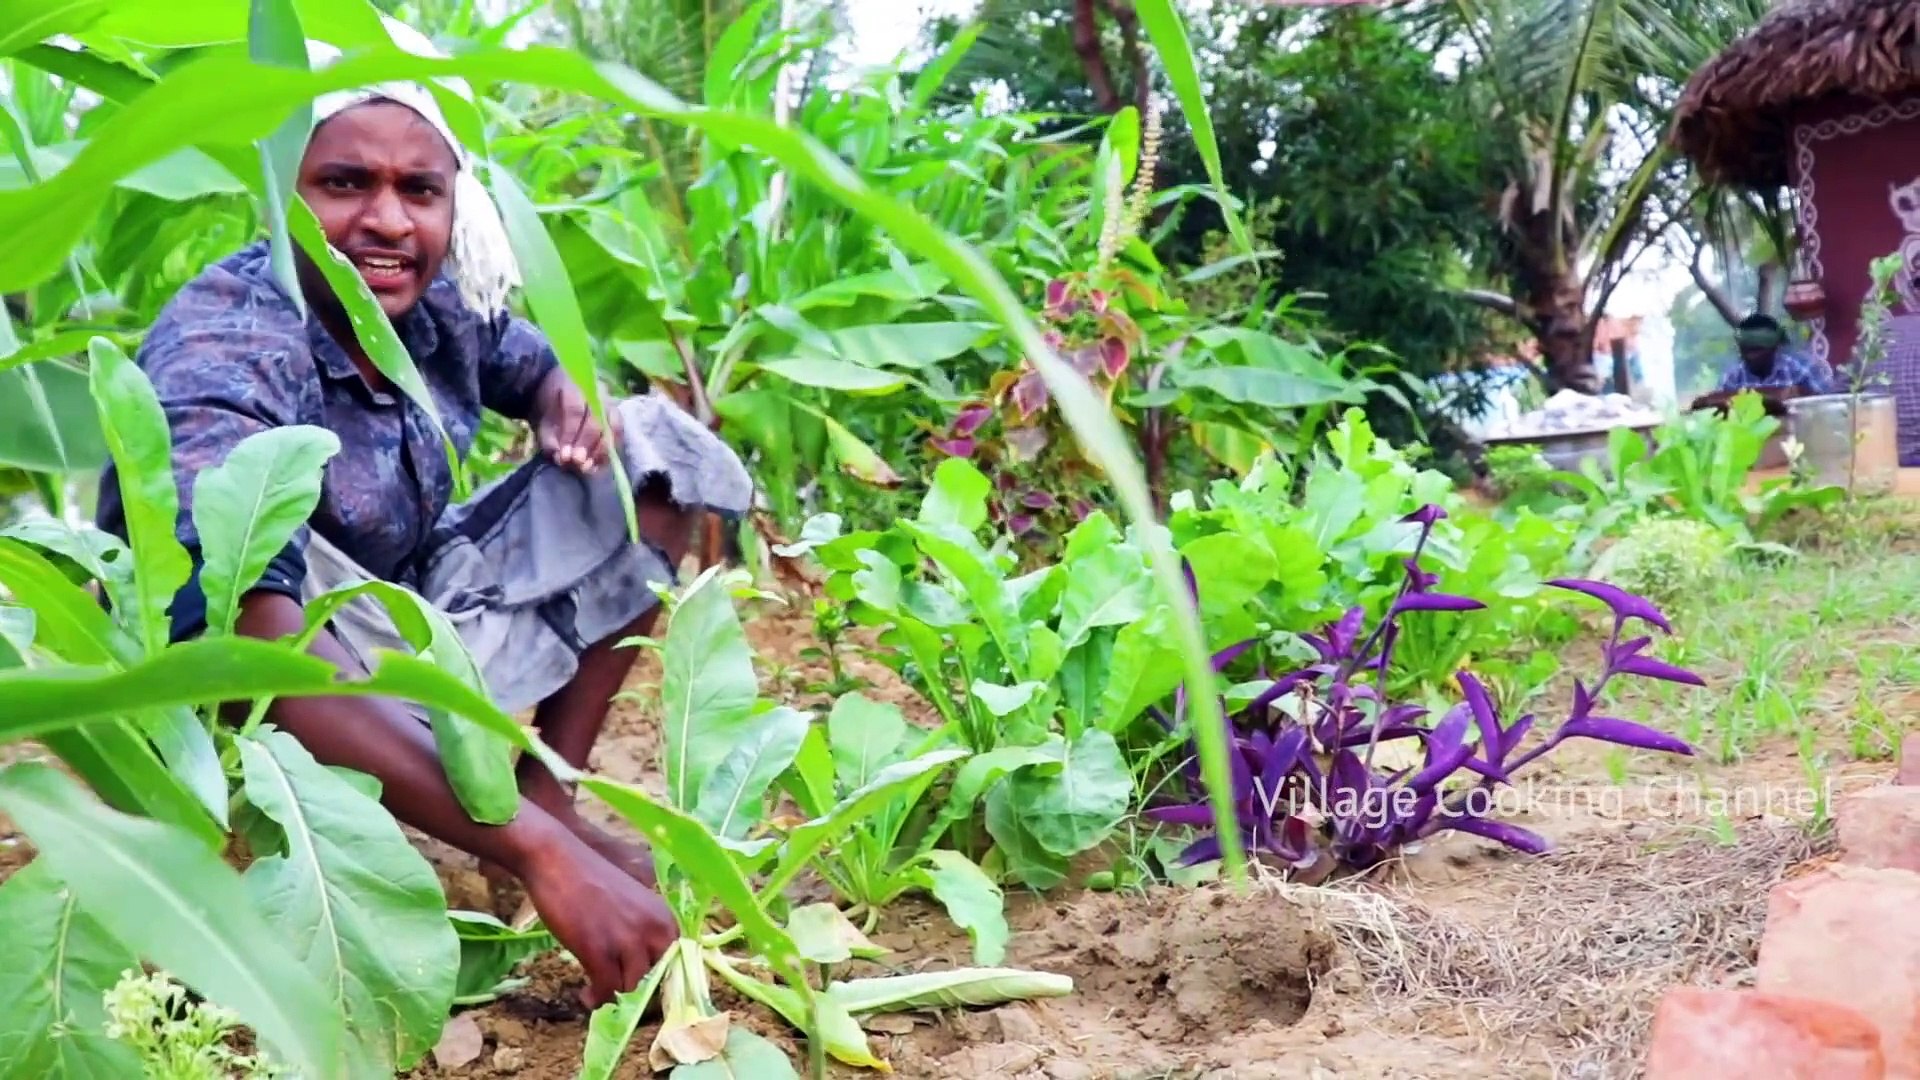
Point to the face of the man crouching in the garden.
(381, 182)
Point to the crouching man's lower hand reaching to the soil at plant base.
(613, 925)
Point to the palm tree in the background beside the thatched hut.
(1583, 91)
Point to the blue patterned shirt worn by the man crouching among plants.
(231, 356)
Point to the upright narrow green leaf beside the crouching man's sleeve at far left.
(143, 454)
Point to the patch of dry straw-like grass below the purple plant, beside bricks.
(1577, 948)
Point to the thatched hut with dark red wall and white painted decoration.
(1825, 97)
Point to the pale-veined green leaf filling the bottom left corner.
(57, 964)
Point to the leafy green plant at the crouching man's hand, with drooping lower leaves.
(723, 756)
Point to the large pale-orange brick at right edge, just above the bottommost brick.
(1846, 935)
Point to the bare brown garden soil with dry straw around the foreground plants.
(1464, 960)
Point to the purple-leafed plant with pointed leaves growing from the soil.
(1305, 781)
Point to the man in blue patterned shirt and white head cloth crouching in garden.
(537, 572)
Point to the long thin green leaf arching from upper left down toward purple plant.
(197, 105)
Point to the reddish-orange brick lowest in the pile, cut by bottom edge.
(1746, 1033)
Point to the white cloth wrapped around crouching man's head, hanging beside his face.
(481, 258)
